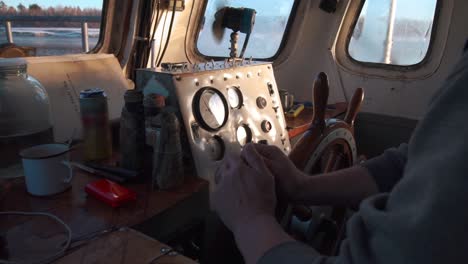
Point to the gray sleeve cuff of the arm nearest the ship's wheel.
(387, 169)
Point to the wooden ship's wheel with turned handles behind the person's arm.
(328, 145)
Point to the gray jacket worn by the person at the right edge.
(421, 216)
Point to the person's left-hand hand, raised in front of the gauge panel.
(245, 189)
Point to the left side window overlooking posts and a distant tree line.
(48, 27)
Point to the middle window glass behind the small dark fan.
(268, 33)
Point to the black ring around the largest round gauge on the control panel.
(196, 108)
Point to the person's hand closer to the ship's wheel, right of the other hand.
(289, 179)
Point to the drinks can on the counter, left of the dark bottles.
(96, 127)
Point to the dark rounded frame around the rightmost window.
(412, 67)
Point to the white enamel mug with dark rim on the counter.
(46, 169)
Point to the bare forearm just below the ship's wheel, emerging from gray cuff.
(347, 187)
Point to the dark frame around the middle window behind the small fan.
(282, 45)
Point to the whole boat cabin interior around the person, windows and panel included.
(117, 115)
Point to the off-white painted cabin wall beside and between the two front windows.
(318, 42)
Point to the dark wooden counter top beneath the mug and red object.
(33, 237)
